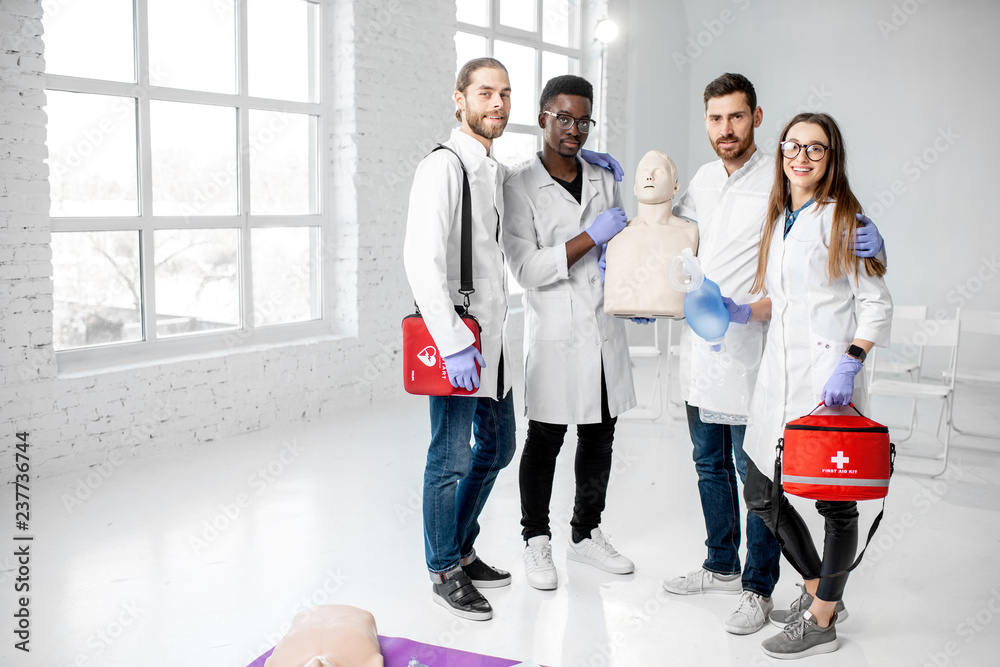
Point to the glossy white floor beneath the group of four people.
(201, 557)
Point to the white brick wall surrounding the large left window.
(393, 69)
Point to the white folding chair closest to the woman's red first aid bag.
(925, 333)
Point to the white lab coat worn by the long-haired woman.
(813, 323)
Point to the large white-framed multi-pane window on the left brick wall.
(184, 139)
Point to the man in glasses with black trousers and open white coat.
(559, 210)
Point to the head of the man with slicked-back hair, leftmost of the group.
(482, 98)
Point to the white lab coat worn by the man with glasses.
(566, 332)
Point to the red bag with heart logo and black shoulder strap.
(424, 372)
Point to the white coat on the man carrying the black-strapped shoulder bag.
(432, 253)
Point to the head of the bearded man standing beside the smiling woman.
(731, 114)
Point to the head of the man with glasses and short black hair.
(565, 99)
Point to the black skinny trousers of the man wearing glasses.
(593, 468)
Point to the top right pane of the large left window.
(282, 49)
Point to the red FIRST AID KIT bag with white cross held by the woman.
(836, 457)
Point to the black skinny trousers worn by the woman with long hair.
(839, 545)
